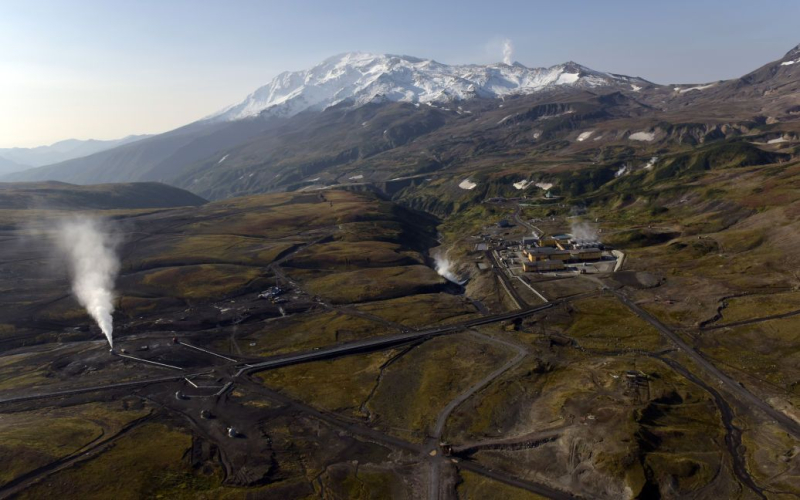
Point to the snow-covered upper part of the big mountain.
(362, 78)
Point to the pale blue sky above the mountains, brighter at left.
(107, 69)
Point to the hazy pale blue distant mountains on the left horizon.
(16, 159)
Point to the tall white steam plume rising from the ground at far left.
(93, 264)
